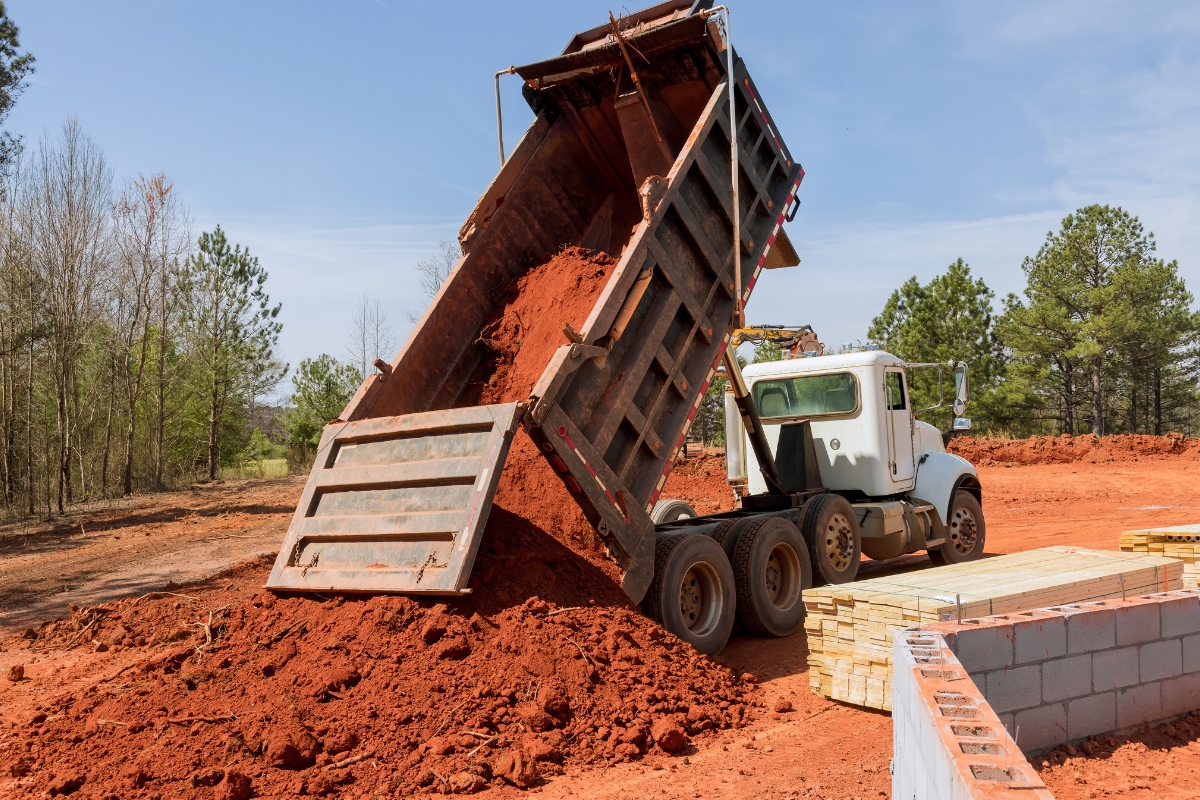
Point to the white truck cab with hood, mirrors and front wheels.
(907, 492)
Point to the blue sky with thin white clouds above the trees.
(340, 142)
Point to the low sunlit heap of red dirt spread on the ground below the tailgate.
(308, 695)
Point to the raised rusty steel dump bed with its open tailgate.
(401, 489)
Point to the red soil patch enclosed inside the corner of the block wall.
(1160, 762)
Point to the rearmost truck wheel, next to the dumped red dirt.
(693, 594)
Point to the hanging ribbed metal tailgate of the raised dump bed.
(398, 503)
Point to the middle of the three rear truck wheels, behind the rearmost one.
(771, 567)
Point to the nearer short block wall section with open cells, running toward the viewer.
(947, 743)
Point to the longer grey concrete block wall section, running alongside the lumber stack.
(1070, 672)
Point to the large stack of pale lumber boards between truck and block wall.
(850, 627)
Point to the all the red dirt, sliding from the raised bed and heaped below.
(544, 665)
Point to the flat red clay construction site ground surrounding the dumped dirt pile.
(794, 745)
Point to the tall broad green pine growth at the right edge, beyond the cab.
(1103, 328)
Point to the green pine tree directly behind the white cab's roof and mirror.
(949, 320)
